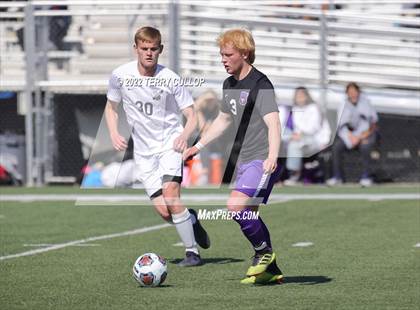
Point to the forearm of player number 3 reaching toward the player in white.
(219, 125)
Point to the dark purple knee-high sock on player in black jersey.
(255, 231)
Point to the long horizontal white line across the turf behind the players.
(204, 199)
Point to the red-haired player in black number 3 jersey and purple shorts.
(249, 104)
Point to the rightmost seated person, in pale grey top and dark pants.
(356, 131)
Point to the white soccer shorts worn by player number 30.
(154, 170)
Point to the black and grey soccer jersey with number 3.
(247, 101)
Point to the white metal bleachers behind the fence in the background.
(362, 41)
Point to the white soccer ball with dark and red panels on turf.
(150, 269)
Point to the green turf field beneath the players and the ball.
(363, 256)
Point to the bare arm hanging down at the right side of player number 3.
(273, 123)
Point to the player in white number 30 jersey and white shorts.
(154, 104)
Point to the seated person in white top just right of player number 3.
(306, 133)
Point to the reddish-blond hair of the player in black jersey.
(241, 39)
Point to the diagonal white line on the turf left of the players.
(76, 242)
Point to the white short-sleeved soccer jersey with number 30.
(152, 106)
